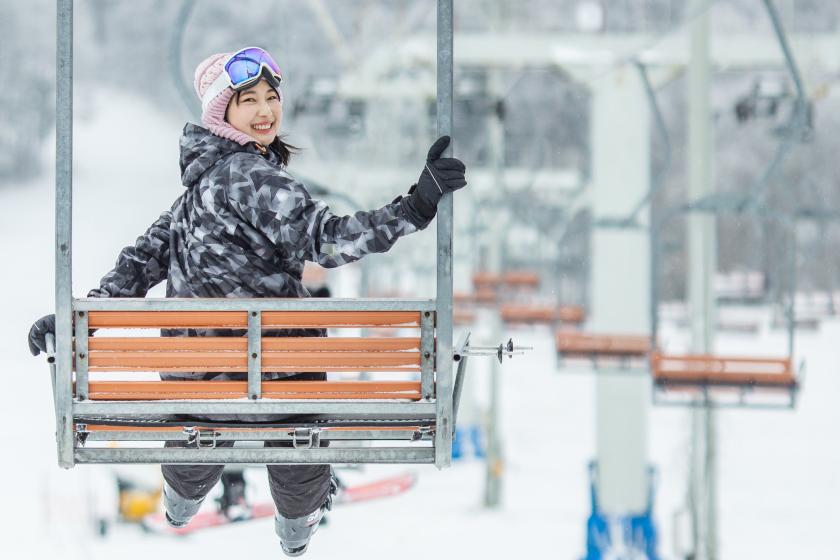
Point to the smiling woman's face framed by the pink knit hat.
(257, 112)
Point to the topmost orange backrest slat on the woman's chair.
(239, 319)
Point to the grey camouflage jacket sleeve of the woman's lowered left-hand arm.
(141, 266)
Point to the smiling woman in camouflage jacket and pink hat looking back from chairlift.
(243, 227)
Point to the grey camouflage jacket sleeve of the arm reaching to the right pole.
(283, 211)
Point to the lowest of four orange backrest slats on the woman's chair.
(166, 390)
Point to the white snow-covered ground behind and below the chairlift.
(779, 484)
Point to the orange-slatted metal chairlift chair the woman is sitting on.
(365, 416)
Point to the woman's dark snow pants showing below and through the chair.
(297, 490)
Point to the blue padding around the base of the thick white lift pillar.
(620, 537)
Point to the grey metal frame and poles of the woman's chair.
(437, 333)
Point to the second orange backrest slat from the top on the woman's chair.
(269, 344)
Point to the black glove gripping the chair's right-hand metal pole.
(441, 175)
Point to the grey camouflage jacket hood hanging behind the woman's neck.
(201, 149)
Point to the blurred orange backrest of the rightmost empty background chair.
(714, 370)
